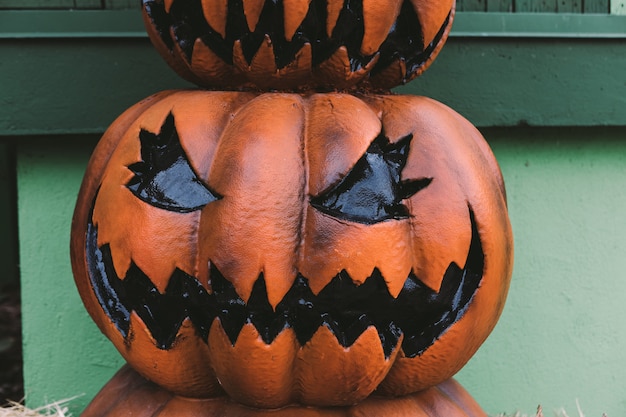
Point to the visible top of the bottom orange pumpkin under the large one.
(129, 394)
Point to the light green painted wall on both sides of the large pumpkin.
(561, 337)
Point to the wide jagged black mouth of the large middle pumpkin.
(419, 313)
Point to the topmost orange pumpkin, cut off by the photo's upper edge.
(298, 44)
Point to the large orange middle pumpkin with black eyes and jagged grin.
(297, 248)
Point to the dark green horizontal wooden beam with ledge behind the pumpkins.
(497, 69)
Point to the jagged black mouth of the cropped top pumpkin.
(405, 40)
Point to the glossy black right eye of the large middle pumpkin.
(373, 190)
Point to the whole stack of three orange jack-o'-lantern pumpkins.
(303, 250)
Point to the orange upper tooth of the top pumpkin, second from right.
(378, 18)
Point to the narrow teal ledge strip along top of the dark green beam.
(21, 24)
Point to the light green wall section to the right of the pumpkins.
(561, 337)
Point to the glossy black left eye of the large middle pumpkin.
(164, 178)
